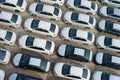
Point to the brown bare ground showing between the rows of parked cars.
(9, 68)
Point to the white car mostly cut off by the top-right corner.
(115, 3)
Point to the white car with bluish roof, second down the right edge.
(110, 12)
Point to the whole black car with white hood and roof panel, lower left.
(30, 62)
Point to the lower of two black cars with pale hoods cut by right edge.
(108, 60)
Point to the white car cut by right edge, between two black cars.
(108, 43)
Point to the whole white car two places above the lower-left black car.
(41, 27)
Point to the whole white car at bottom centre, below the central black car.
(72, 72)
